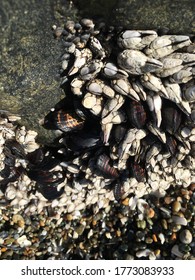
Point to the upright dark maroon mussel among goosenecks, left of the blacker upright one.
(136, 113)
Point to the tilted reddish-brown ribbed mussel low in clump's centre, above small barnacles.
(104, 166)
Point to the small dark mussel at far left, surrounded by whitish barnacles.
(14, 149)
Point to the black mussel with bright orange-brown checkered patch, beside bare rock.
(65, 121)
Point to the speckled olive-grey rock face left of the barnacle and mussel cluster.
(29, 72)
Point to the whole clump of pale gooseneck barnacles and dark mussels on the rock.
(130, 95)
